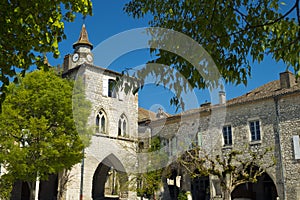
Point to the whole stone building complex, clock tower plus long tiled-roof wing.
(268, 116)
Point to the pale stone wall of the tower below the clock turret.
(118, 151)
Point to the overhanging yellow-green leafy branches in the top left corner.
(30, 29)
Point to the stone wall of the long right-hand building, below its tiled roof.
(279, 121)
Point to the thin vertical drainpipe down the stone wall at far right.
(276, 98)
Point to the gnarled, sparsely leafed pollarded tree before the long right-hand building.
(231, 168)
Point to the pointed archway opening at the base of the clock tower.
(110, 180)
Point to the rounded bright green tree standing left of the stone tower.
(38, 134)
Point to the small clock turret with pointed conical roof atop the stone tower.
(82, 52)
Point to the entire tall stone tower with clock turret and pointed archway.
(114, 118)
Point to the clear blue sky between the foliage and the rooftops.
(109, 19)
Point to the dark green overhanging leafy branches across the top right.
(234, 33)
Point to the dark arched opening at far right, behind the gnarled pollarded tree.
(264, 189)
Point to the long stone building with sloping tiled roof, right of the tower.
(268, 116)
